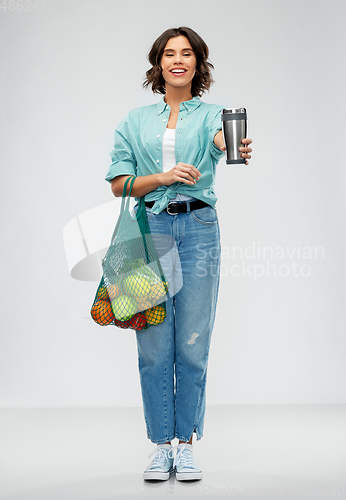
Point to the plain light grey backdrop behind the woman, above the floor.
(69, 76)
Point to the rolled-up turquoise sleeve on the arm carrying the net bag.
(122, 156)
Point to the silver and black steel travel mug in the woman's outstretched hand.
(234, 128)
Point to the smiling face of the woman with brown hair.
(178, 63)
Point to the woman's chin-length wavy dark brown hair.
(202, 79)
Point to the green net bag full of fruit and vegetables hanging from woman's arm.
(133, 290)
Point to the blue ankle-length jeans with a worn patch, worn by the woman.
(173, 356)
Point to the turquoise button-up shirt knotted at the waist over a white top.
(138, 147)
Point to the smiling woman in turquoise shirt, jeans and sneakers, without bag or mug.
(173, 148)
